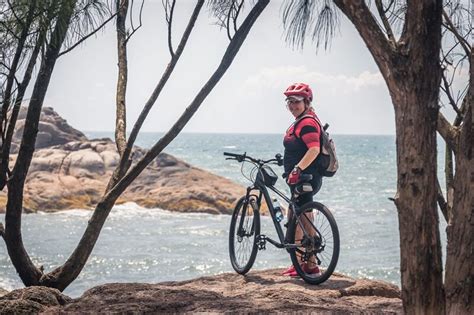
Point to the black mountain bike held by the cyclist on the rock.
(312, 236)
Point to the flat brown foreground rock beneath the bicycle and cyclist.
(258, 292)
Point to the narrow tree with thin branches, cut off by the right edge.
(459, 138)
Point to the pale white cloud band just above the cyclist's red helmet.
(279, 77)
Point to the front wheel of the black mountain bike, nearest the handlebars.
(244, 229)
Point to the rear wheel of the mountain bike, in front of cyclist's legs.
(316, 237)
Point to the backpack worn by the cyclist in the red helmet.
(327, 159)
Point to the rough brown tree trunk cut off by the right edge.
(460, 253)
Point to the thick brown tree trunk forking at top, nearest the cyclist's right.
(412, 72)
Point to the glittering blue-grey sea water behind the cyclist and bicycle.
(154, 245)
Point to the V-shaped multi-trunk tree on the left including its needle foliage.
(39, 30)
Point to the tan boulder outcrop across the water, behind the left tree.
(74, 175)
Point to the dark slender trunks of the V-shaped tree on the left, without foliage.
(227, 11)
